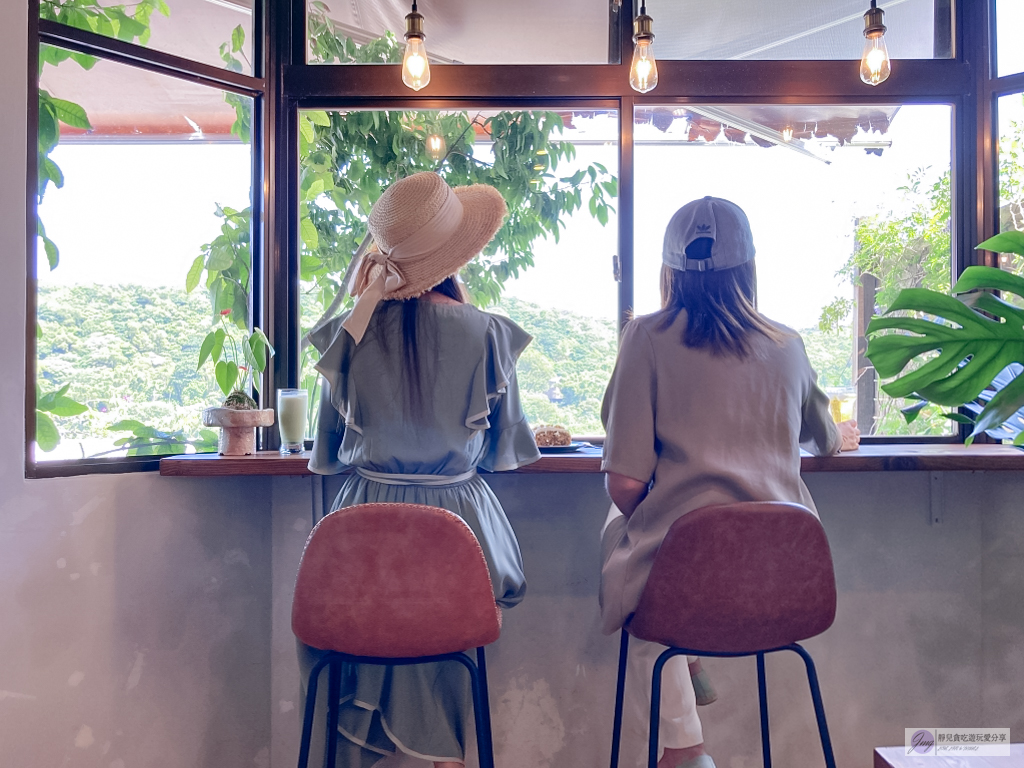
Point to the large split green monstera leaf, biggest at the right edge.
(964, 344)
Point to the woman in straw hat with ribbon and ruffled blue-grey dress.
(419, 392)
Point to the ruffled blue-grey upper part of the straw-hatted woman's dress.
(471, 416)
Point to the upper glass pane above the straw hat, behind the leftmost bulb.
(474, 32)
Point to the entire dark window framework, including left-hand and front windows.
(965, 82)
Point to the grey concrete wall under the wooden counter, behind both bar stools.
(928, 631)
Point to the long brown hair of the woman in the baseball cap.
(720, 305)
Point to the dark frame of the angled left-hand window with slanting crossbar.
(255, 87)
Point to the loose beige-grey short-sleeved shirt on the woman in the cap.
(703, 430)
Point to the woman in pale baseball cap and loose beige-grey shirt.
(710, 403)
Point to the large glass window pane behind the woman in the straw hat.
(550, 268)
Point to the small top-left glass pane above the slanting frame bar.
(211, 32)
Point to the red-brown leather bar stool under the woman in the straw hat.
(394, 584)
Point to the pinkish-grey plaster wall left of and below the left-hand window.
(135, 611)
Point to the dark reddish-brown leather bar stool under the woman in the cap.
(738, 580)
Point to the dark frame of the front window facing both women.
(942, 81)
